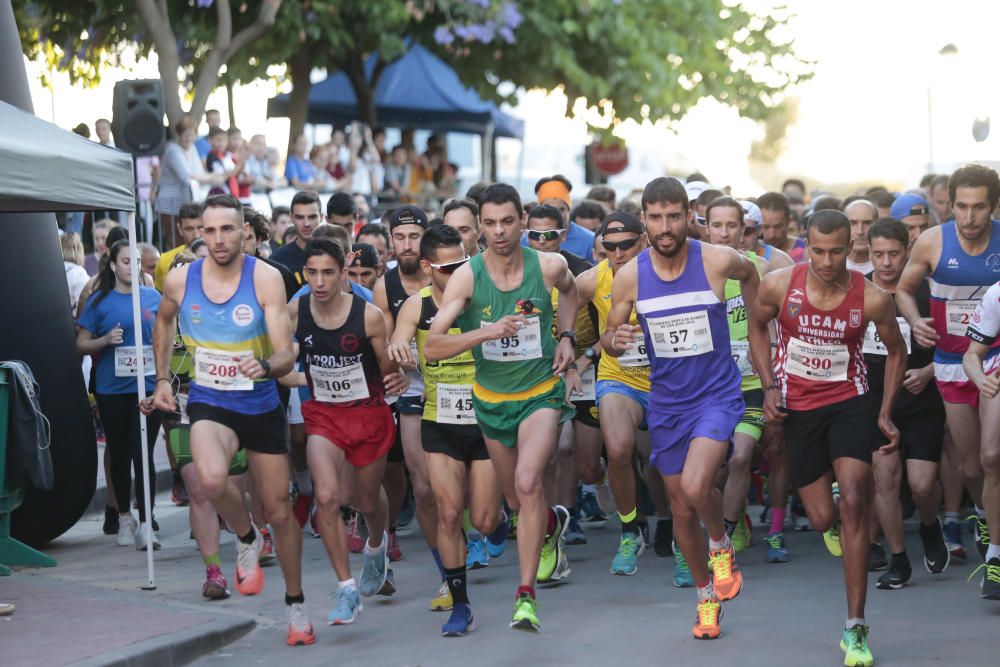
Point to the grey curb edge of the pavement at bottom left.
(175, 648)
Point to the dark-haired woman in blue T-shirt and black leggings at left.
(106, 331)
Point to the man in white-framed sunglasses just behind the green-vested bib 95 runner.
(579, 451)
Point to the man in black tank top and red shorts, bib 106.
(342, 349)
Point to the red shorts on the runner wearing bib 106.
(365, 433)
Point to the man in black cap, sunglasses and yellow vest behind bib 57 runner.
(622, 388)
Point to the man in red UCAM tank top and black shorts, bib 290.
(819, 388)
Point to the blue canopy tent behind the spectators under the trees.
(418, 90)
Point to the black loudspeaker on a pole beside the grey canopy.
(138, 117)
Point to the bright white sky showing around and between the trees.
(863, 117)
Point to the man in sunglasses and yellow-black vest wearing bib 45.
(457, 461)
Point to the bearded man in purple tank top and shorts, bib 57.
(677, 289)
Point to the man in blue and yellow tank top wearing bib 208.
(234, 323)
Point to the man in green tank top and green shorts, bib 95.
(502, 303)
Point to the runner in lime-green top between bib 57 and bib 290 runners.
(726, 224)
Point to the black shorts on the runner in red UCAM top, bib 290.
(814, 439)
